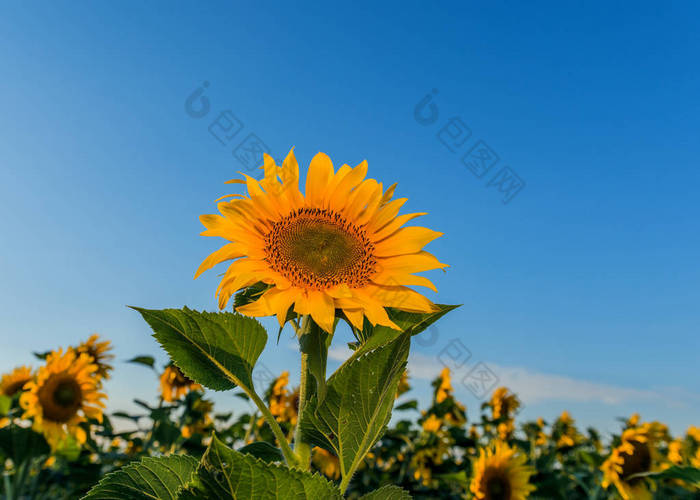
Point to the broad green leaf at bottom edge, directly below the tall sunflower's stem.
(225, 473)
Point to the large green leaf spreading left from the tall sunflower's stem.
(217, 350)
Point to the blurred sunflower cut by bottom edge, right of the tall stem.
(501, 474)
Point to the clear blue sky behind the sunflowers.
(581, 292)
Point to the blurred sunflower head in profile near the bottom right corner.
(636, 453)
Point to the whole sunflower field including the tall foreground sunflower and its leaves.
(337, 254)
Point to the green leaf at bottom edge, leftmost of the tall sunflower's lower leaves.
(151, 478)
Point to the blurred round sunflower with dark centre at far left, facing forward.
(63, 395)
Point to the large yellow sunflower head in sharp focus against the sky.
(339, 246)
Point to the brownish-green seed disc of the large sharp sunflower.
(318, 249)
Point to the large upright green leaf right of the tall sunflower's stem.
(358, 404)
